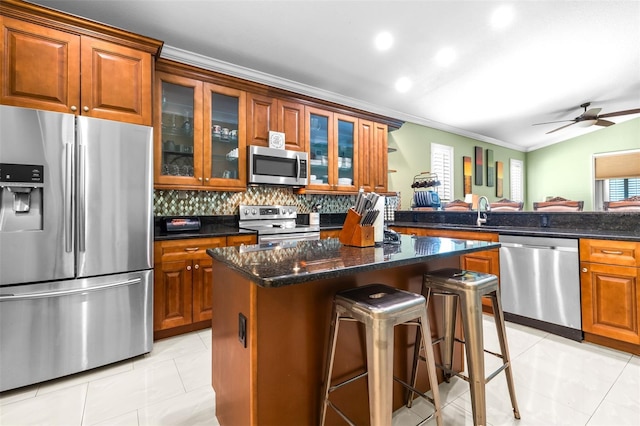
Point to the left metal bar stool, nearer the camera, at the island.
(380, 308)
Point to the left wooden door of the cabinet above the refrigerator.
(27, 51)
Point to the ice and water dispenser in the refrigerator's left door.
(21, 190)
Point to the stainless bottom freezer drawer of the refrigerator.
(50, 330)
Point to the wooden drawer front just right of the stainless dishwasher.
(624, 253)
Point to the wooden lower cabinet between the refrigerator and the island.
(183, 281)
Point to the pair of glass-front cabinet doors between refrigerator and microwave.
(201, 138)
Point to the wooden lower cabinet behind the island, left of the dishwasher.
(487, 261)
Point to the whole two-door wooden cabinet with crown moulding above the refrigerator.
(63, 65)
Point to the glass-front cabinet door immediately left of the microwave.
(224, 141)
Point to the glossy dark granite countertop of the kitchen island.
(298, 262)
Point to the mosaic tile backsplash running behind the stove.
(200, 203)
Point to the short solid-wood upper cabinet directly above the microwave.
(265, 113)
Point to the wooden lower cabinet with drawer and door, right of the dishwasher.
(610, 286)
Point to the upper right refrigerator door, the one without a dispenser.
(114, 197)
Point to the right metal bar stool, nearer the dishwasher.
(469, 288)
